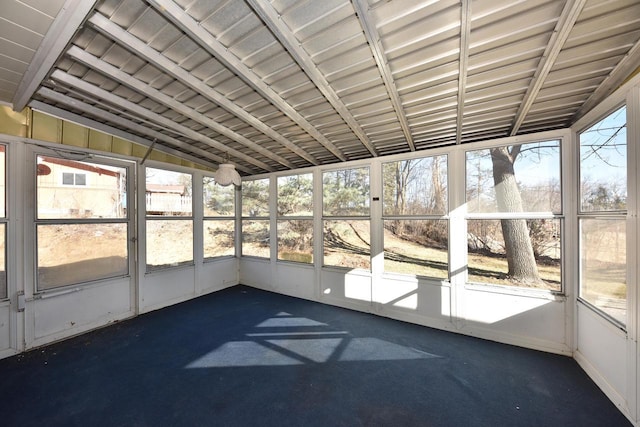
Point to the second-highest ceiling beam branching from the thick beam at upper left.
(126, 79)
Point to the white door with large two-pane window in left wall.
(79, 243)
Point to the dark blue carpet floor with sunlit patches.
(245, 357)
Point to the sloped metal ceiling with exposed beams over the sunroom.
(285, 84)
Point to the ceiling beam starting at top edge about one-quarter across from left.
(207, 41)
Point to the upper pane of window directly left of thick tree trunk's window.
(415, 187)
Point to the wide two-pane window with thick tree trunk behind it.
(514, 215)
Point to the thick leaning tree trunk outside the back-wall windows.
(522, 263)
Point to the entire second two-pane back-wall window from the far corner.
(295, 218)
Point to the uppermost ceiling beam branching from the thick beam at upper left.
(139, 48)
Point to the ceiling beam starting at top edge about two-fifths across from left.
(272, 19)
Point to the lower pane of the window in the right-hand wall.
(603, 265)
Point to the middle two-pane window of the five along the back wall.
(346, 218)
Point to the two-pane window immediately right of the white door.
(169, 219)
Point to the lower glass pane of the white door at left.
(75, 253)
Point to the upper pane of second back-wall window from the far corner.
(295, 195)
